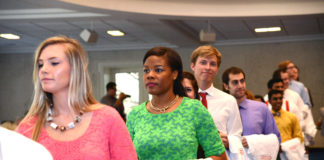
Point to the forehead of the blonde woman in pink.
(53, 51)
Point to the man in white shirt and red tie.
(205, 61)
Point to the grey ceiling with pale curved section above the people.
(149, 23)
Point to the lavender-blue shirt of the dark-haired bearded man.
(257, 119)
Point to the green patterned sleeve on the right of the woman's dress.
(207, 133)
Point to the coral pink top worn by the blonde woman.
(106, 138)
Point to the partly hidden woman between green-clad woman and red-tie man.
(190, 85)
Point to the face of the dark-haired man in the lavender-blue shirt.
(236, 85)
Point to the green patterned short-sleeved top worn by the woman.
(174, 135)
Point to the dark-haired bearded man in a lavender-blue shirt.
(256, 117)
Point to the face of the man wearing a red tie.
(205, 69)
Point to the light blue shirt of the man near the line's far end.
(301, 90)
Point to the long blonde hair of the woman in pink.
(80, 96)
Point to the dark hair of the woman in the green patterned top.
(174, 61)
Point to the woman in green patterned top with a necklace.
(170, 126)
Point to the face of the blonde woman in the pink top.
(54, 69)
